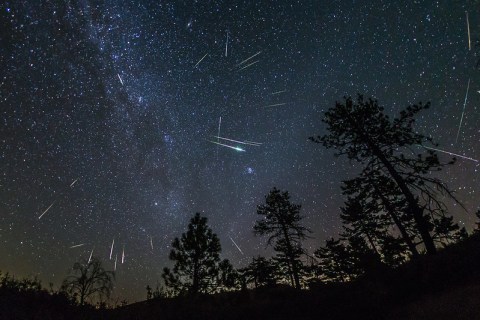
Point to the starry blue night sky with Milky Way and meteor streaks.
(108, 110)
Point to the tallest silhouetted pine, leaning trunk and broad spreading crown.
(362, 131)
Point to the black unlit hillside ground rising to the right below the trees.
(445, 286)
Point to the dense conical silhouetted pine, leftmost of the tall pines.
(196, 256)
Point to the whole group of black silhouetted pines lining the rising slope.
(394, 211)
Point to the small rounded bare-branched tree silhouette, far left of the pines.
(89, 281)
